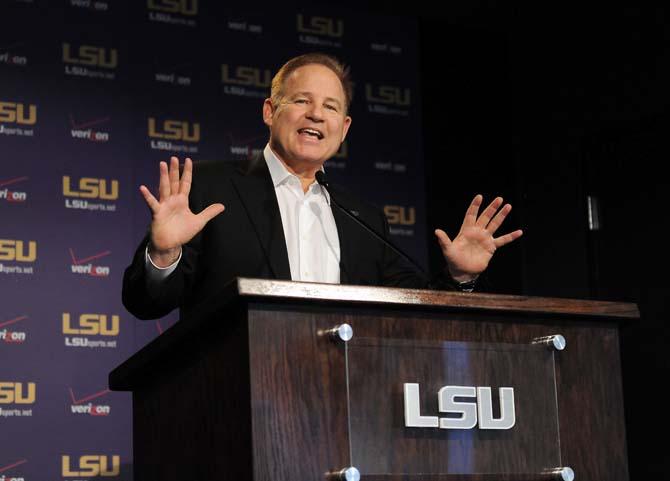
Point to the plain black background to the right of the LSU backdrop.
(546, 104)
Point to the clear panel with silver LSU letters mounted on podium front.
(451, 407)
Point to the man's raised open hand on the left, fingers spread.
(173, 224)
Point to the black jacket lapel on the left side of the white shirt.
(255, 189)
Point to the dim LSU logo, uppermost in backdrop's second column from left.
(90, 61)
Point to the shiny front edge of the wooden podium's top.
(379, 296)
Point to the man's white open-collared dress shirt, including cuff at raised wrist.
(312, 241)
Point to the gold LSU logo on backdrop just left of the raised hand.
(80, 193)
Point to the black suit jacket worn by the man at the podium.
(247, 240)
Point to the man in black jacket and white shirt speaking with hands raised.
(278, 221)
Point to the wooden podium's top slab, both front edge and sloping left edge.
(243, 291)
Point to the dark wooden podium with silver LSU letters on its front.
(261, 385)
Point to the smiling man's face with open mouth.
(310, 122)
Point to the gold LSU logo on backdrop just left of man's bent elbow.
(78, 331)
